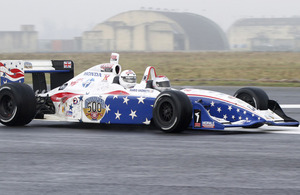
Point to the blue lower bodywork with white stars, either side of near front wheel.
(124, 109)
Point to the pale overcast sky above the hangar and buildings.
(65, 19)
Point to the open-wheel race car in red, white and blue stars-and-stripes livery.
(106, 94)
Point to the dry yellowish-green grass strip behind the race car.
(195, 68)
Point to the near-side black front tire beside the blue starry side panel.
(172, 111)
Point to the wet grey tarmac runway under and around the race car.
(72, 158)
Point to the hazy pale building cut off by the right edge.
(265, 34)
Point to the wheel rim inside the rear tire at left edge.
(7, 107)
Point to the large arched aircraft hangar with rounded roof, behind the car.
(145, 30)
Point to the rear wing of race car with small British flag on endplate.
(60, 72)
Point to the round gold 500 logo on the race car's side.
(94, 108)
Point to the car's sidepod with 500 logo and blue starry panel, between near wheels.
(108, 109)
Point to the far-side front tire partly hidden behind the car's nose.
(256, 97)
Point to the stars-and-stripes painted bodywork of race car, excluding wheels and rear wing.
(95, 98)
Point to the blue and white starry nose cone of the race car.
(224, 109)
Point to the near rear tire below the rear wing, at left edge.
(17, 104)
